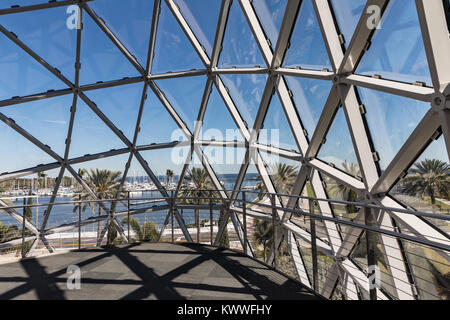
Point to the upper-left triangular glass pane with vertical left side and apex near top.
(100, 59)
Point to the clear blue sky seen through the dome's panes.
(395, 53)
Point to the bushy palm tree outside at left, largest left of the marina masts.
(105, 185)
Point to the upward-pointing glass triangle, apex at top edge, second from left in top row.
(173, 51)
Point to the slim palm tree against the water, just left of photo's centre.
(198, 185)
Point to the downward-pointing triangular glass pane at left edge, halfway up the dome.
(53, 114)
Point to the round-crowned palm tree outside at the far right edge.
(429, 178)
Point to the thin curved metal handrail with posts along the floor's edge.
(240, 205)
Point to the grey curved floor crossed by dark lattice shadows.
(148, 271)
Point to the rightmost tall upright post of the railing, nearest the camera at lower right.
(371, 257)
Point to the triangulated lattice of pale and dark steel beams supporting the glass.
(373, 188)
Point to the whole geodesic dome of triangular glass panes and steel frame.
(352, 93)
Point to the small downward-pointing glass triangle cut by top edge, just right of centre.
(270, 14)
